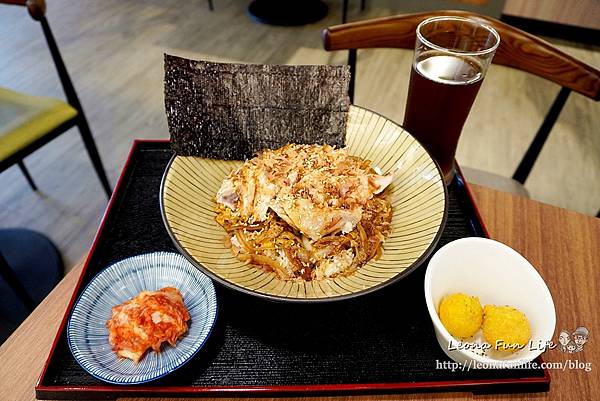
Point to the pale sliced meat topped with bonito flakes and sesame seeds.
(318, 190)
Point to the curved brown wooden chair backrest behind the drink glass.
(517, 49)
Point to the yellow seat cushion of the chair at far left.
(24, 119)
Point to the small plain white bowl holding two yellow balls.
(498, 275)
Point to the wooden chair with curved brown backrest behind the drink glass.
(517, 49)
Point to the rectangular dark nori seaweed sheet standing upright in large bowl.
(232, 111)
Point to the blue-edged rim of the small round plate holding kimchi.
(198, 345)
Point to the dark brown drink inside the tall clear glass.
(440, 95)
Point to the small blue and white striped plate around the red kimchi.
(87, 333)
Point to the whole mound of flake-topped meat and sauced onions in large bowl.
(305, 212)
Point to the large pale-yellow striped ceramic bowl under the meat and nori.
(419, 204)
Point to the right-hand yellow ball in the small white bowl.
(505, 328)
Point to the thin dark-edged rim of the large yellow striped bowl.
(418, 262)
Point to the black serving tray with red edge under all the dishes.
(380, 342)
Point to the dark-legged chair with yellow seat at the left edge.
(29, 122)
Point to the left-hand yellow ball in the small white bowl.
(461, 315)
